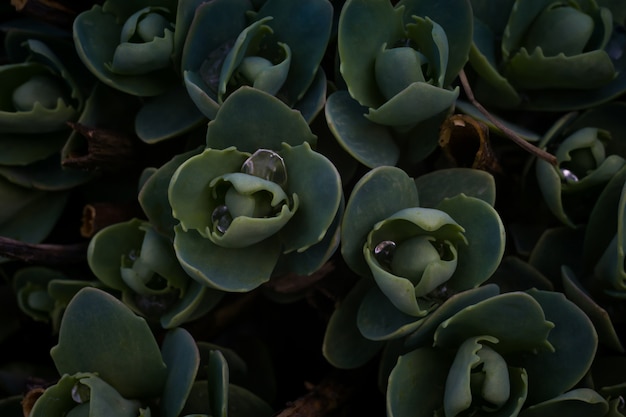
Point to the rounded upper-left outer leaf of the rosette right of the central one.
(378, 194)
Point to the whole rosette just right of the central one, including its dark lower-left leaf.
(417, 257)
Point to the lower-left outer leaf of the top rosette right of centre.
(369, 143)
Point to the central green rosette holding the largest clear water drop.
(258, 200)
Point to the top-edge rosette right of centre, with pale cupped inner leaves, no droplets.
(398, 64)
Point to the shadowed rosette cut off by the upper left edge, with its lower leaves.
(42, 91)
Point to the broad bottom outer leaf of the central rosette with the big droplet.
(226, 269)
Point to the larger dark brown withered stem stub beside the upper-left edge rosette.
(106, 150)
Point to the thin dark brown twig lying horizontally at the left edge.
(43, 253)
